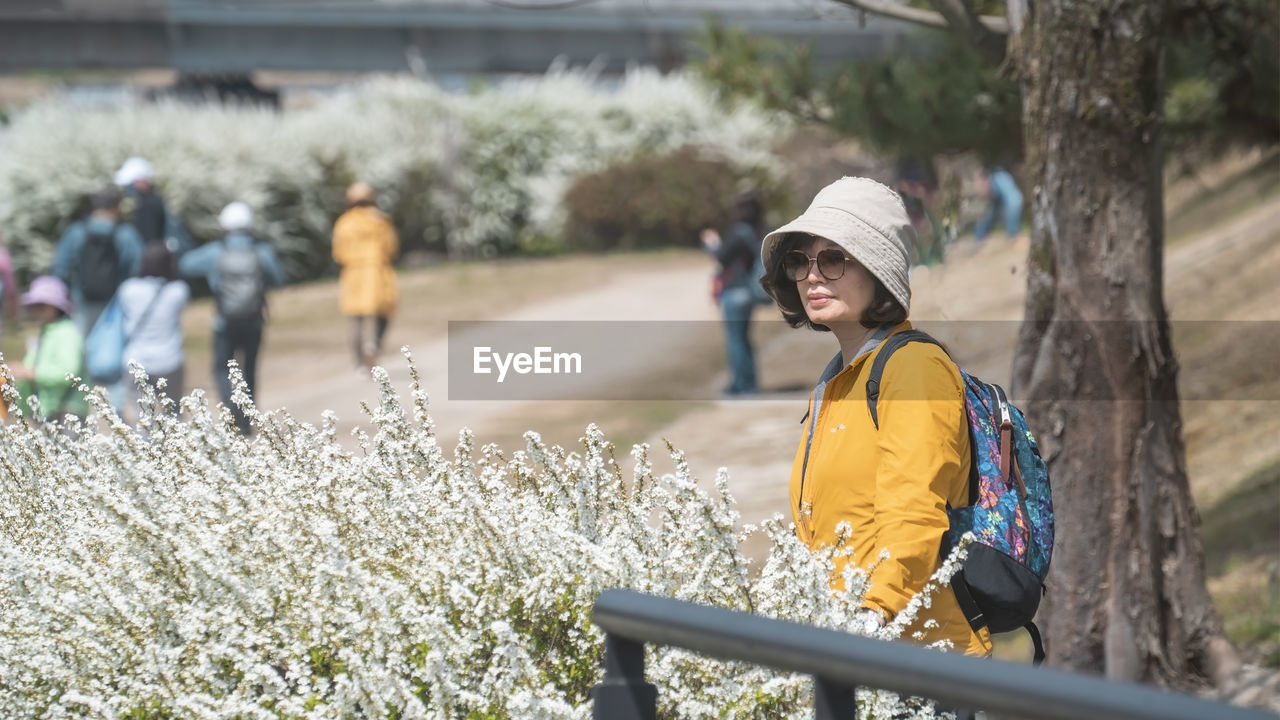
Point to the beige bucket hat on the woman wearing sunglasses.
(867, 220)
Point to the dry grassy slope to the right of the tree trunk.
(1229, 350)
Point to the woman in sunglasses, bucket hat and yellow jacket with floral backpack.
(899, 444)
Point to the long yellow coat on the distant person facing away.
(365, 244)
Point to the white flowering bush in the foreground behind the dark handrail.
(177, 569)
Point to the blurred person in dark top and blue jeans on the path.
(738, 299)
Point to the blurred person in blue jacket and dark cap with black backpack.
(95, 256)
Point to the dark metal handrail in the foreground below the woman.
(840, 662)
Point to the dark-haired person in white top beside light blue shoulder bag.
(153, 306)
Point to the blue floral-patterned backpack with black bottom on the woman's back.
(1011, 509)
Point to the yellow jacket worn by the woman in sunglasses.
(893, 485)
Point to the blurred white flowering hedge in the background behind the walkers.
(464, 172)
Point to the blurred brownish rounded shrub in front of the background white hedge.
(650, 202)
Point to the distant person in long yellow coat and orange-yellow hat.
(365, 245)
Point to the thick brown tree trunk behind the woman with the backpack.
(1095, 367)
